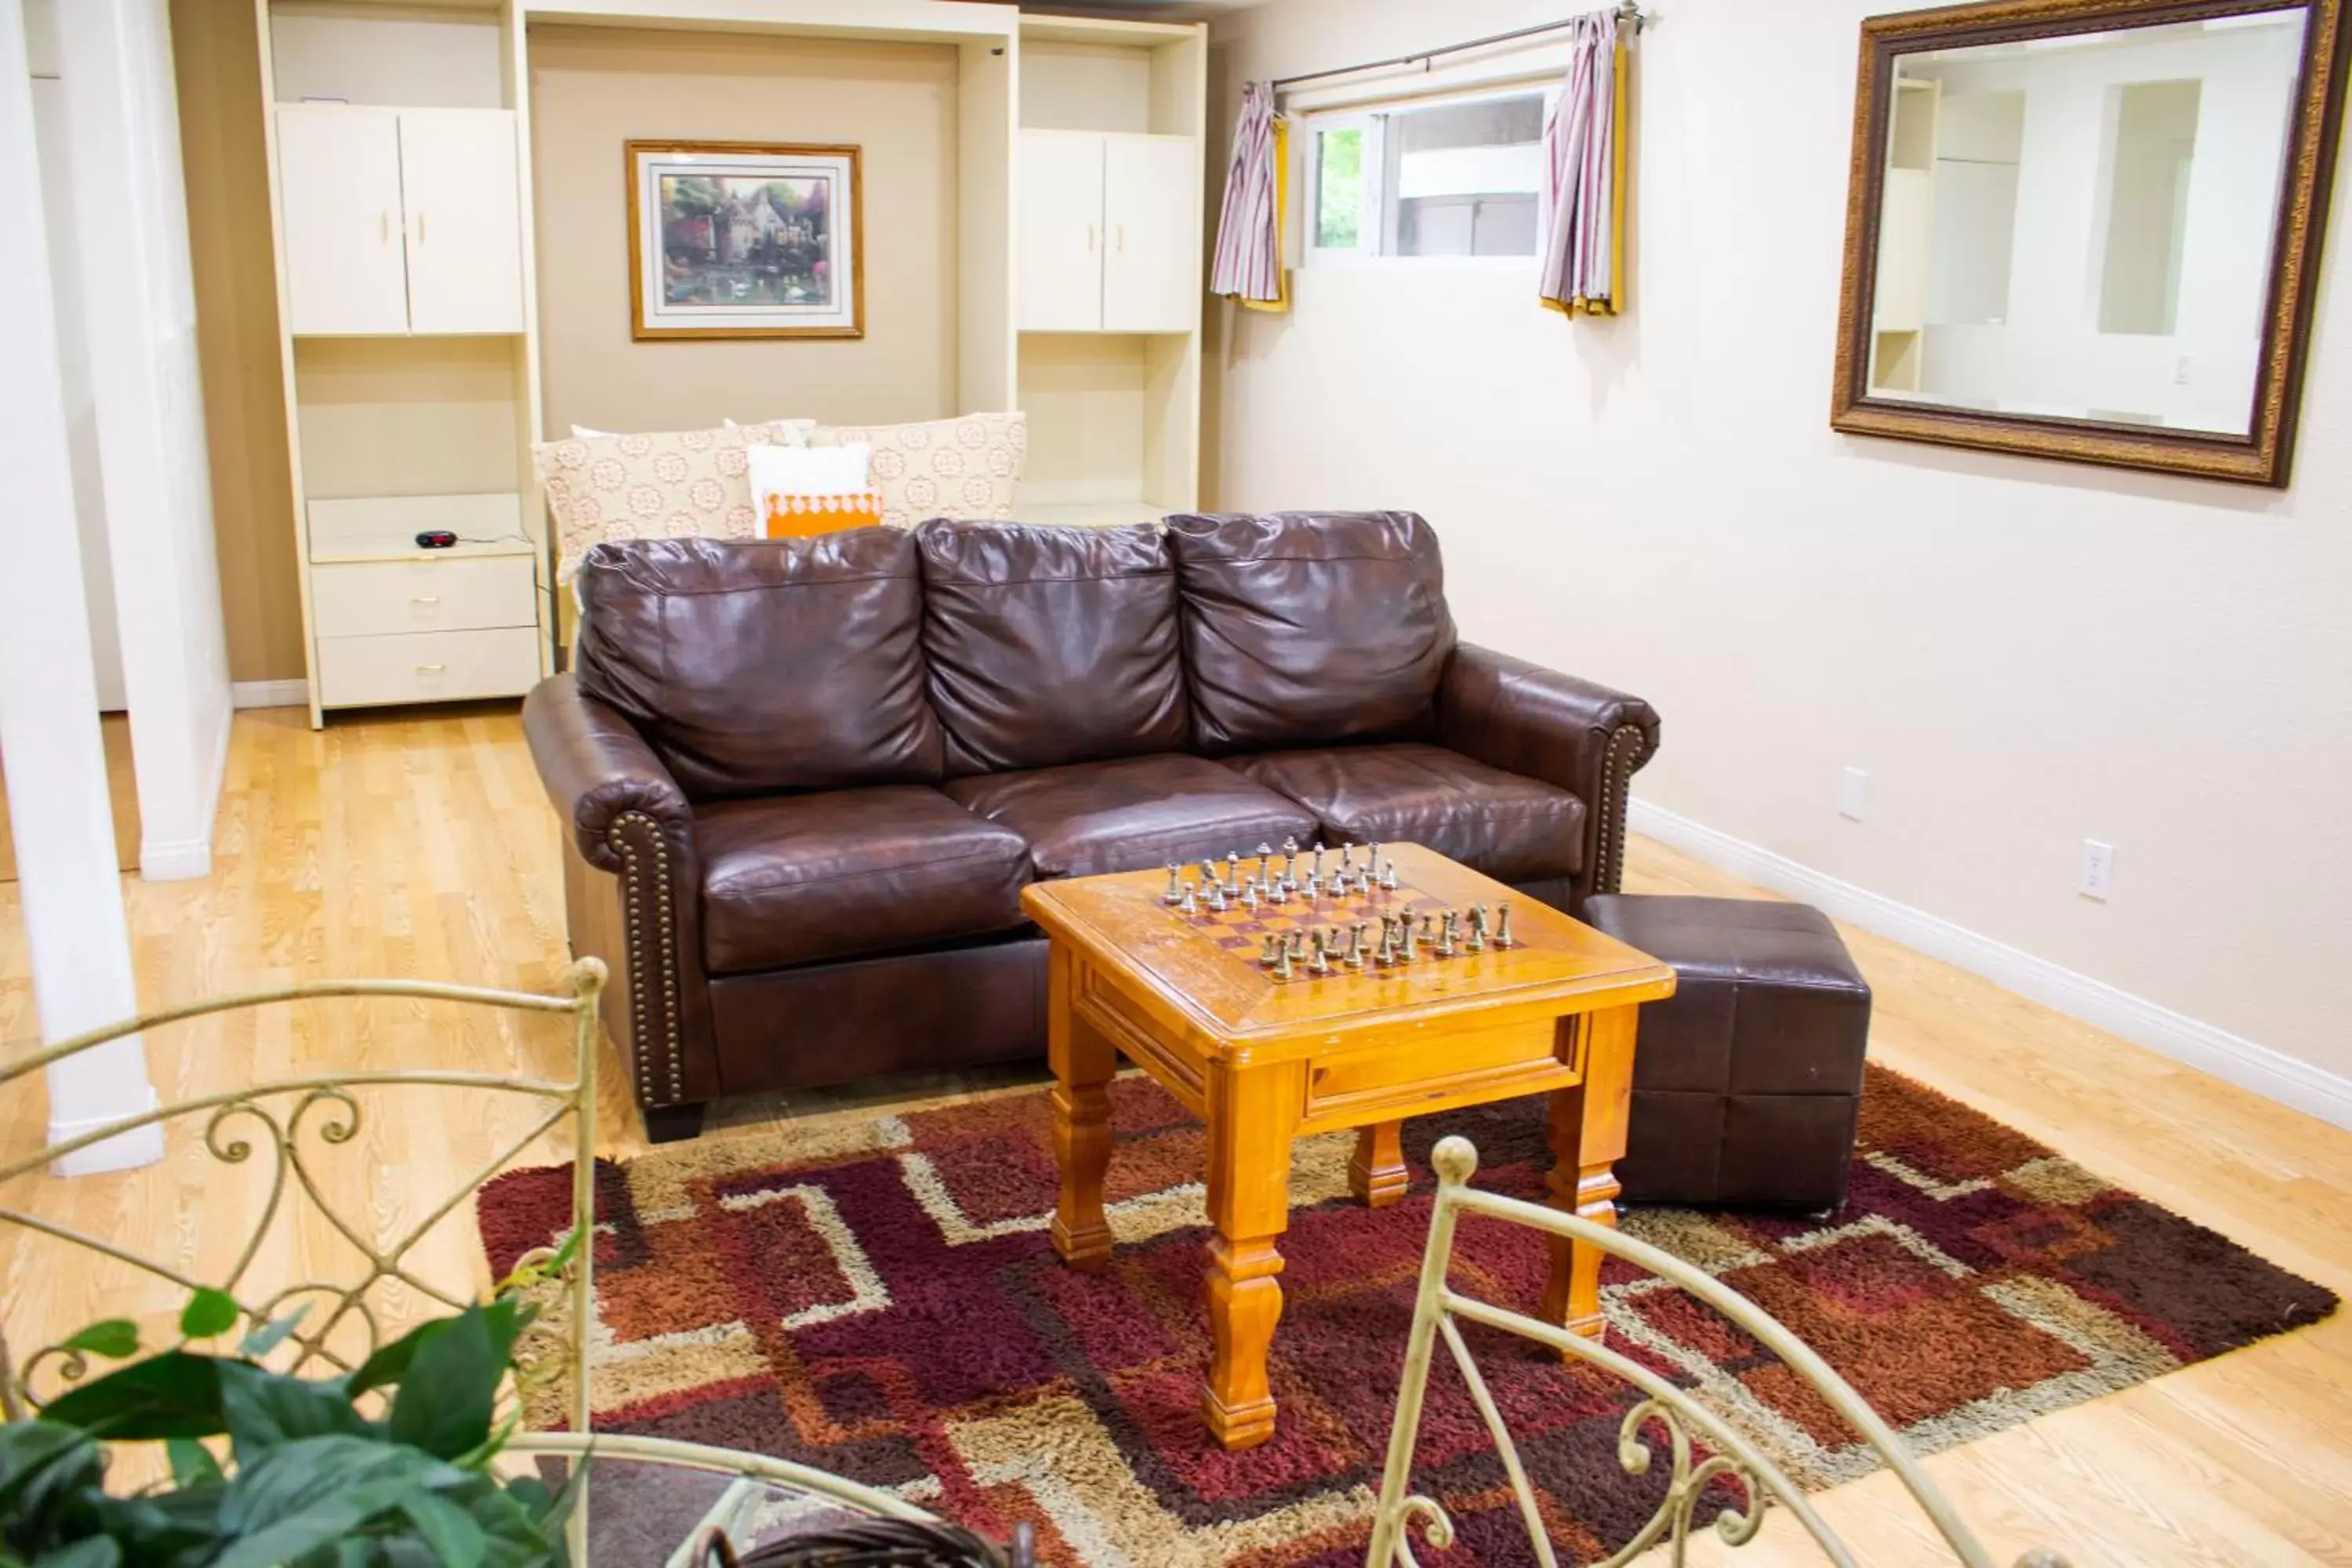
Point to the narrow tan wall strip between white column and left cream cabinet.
(236, 328)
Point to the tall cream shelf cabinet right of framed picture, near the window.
(1109, 267)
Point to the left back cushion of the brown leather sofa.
(766, 666)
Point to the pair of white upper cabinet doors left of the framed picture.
(401, 220)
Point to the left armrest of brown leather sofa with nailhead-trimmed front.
(629, 819)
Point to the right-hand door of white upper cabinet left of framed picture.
(457, 180)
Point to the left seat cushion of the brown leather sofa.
(806, 878)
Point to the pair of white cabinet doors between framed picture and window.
(1109, 232)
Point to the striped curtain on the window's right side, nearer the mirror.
(1584, 177)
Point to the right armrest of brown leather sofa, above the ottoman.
(1568, 732)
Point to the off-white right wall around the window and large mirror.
(2024, 655)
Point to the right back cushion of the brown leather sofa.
(1311, 626)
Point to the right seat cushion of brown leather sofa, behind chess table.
(1499, 824)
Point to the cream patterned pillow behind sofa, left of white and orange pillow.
(667, 485)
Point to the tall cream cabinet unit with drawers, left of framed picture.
(406, 340)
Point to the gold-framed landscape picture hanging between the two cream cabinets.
(744, 241)
